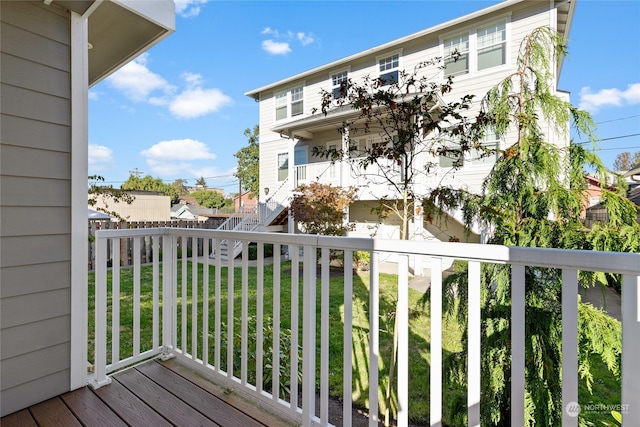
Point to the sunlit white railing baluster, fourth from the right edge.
(473, 355)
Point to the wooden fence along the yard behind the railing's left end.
(126, 246)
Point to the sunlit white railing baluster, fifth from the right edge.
(435, 367)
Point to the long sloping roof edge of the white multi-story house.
(565, 16)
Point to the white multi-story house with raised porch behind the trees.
(488, 42)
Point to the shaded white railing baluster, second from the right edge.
(569, 347)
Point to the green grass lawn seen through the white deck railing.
(419, 334)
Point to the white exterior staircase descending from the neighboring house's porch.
(253, 219)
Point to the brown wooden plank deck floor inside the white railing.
(152, 394)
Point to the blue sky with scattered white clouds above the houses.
(179, 110)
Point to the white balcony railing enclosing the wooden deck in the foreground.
(223, 335)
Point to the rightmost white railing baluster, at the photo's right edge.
(630, 350)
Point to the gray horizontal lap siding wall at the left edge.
(35, 199)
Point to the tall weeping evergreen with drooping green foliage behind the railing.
(533, 197)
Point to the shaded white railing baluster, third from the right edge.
(517, 344)
